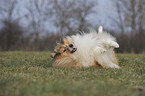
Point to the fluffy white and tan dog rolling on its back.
(86, 50)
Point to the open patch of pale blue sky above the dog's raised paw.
(104, 9)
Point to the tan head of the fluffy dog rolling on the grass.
(63, 50)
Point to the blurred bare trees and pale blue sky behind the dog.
(36, 25)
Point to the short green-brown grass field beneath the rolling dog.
(31, 74)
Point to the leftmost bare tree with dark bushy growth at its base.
(11, 32)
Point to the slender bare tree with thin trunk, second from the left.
(36, 15)
